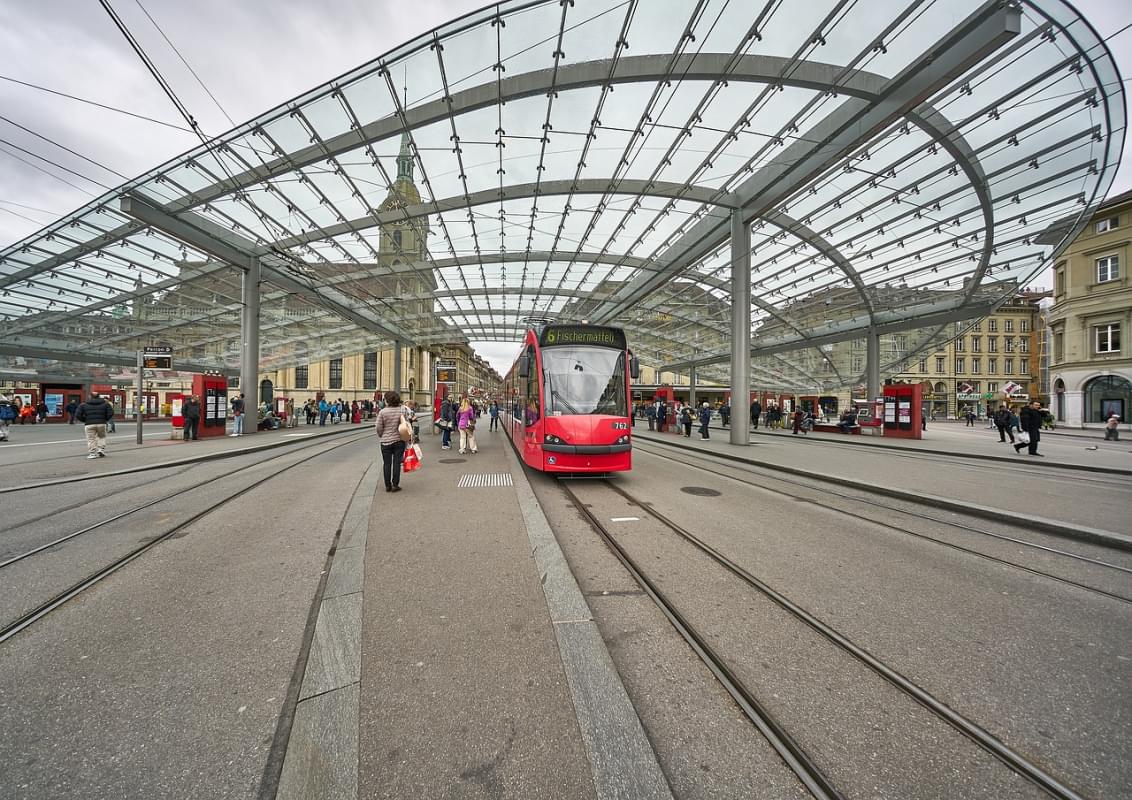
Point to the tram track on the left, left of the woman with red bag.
(30, 617)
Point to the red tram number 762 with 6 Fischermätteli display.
(567, 407)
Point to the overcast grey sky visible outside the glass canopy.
(252, 55)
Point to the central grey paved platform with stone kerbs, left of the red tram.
(454, 655)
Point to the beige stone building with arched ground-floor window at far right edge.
(1091, 366)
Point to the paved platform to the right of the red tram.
(963, 470)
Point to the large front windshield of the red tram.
(585, 381)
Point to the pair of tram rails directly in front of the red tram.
(816, 779)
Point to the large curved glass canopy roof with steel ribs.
(581, 160)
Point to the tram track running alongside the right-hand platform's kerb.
(767, 475)
